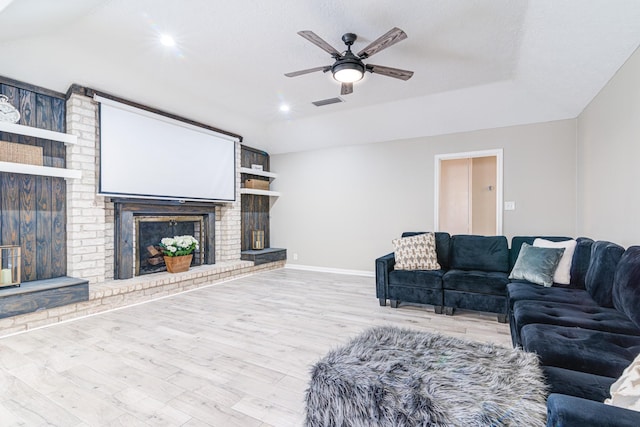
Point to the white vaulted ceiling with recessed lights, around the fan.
(478, 63)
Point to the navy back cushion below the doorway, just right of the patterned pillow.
(485, 253)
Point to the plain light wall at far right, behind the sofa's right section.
(609, 160)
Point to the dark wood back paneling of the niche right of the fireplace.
(255, 209)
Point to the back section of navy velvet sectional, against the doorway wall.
(474, 274)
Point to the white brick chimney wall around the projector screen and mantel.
(94, 222)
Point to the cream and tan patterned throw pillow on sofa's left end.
(416, 252)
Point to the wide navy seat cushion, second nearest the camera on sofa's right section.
(595, 352)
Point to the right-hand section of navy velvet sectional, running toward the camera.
(584, 343)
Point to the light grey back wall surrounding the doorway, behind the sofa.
(341, 207)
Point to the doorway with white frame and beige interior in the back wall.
(468, 193)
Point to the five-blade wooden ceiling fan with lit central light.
(348, 67)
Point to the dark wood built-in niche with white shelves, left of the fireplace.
(33, 202)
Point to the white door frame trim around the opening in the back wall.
(498, 154)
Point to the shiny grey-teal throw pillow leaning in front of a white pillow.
(536, 265)
